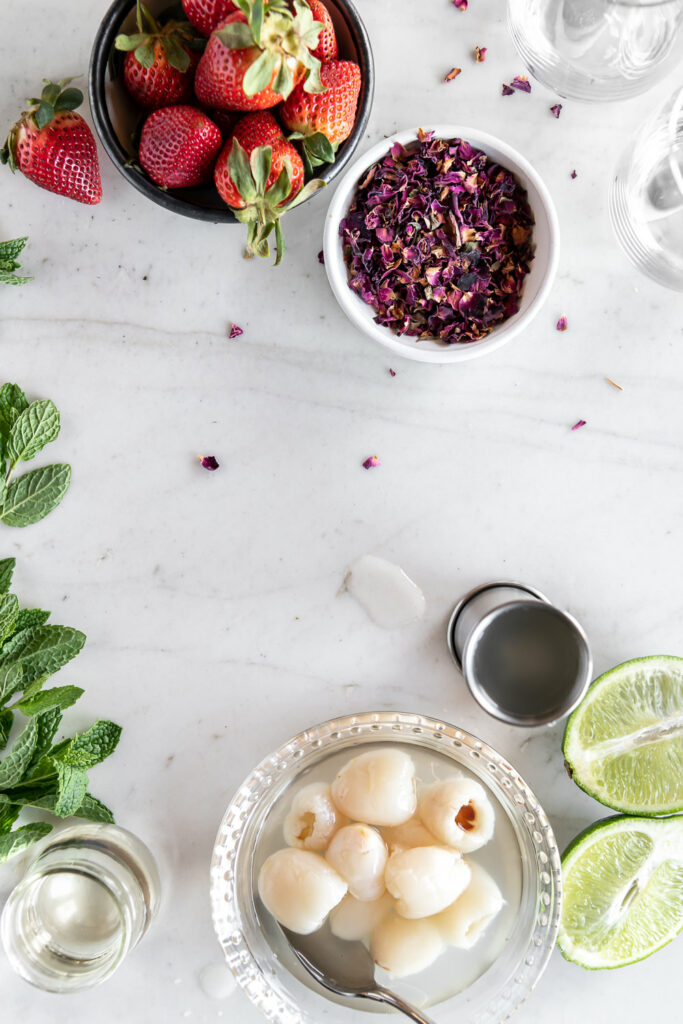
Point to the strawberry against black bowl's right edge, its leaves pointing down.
(326, 119)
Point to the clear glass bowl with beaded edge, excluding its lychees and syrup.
(259, 955)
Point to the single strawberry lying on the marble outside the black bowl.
(55, 148)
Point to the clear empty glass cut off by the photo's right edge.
(647, 196)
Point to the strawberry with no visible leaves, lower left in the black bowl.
(179, 147)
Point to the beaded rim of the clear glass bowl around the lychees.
(532, 947)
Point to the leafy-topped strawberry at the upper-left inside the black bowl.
(159, 68)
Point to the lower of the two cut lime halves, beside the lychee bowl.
(623, 901)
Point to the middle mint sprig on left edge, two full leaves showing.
(25, 431)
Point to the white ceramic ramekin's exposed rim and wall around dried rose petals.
(537, 285)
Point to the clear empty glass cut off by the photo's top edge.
(597, 50)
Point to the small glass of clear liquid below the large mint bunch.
(87, 901)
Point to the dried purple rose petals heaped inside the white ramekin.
(439, 241)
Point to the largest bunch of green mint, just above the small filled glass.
(36, 772)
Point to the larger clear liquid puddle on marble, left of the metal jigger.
(388, 594)
